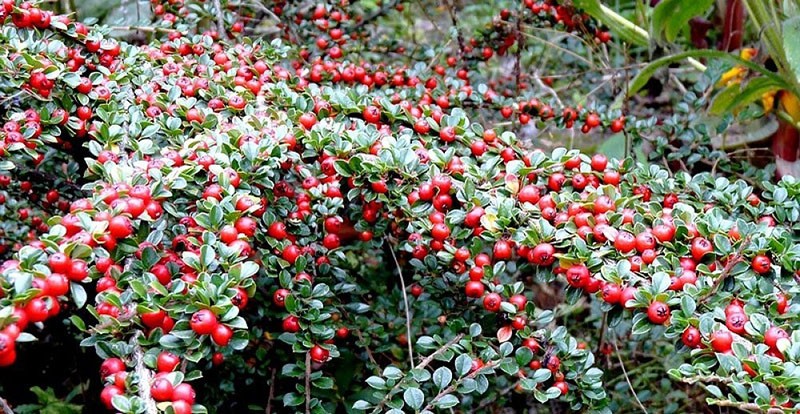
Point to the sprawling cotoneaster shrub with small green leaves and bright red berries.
(217, 201)
